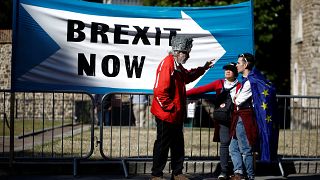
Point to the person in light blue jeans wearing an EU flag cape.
(254, 121)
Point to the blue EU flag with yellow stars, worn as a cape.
(265, 107)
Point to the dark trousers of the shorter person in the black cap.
(224, 148)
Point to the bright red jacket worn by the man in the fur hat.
(169, 101)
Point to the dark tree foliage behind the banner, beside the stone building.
(272, 35)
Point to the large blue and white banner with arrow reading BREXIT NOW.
(101, 48)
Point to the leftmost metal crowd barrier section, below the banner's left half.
(43, 127)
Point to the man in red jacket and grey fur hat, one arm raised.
(169, 106)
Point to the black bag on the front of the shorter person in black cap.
(223, 106)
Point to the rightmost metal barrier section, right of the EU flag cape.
(300, 128)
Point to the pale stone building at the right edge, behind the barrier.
(305, 62)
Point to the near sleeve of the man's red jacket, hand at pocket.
(162, 85)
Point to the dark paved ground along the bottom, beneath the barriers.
(102, 170)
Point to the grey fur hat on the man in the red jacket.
(181, 43)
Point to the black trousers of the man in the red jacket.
(169, 136)
